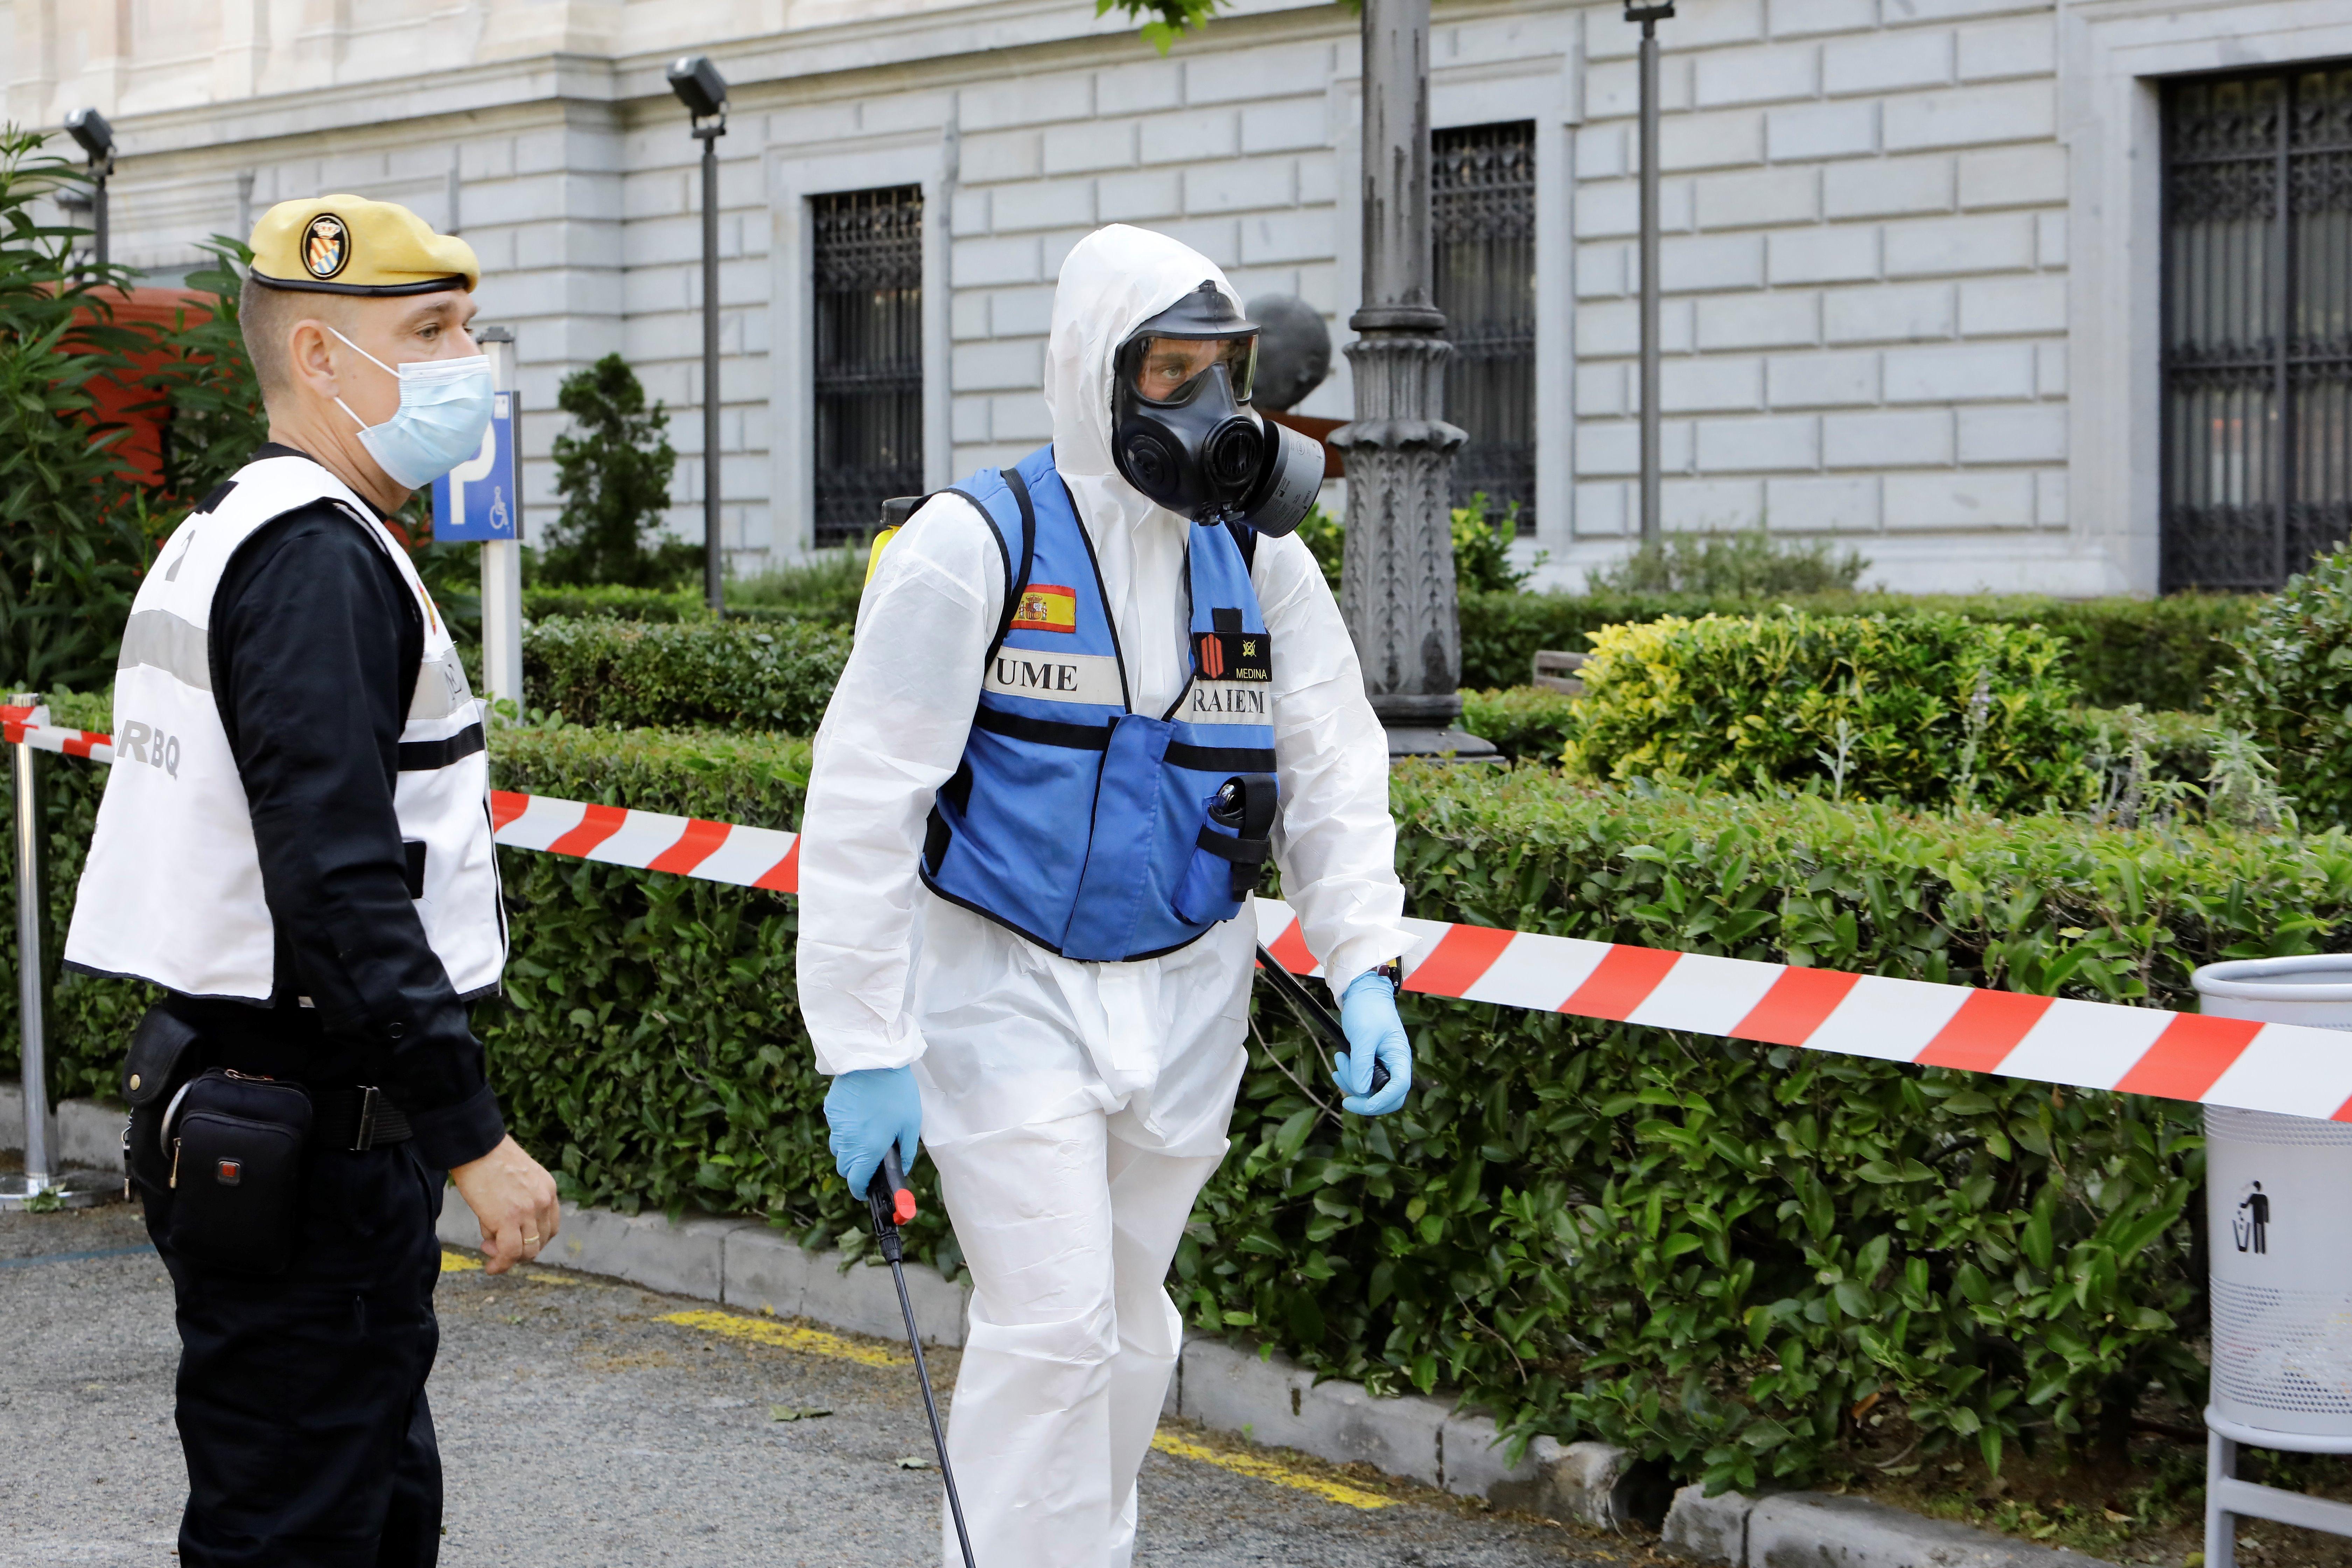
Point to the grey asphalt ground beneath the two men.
(577, 1430)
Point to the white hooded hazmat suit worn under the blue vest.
(1074, 1108)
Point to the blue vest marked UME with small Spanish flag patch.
(1074, 819)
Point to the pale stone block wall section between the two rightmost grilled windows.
(1864, 269)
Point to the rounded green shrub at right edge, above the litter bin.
(2290, 685)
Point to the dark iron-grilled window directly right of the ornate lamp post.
(1483, 220)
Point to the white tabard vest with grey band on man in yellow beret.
(173, 885)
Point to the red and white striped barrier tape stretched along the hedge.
(2090, 1045)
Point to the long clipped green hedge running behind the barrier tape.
(1702, 1249)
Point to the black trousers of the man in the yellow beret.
(302, 1395)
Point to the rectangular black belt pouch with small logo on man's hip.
(236, 1172)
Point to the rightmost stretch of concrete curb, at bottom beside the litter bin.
(1822, 1532)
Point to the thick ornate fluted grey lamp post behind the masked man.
(1398, 577)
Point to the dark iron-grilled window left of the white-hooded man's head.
(869, 356)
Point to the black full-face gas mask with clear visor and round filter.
(1184, 434)
